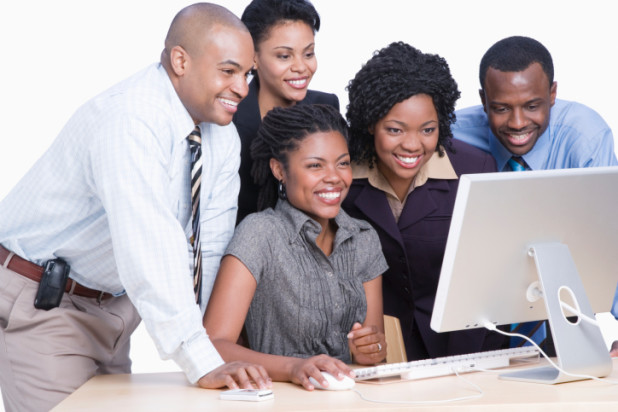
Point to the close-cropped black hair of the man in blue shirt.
(515, 54)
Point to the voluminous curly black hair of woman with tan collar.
(394, 74)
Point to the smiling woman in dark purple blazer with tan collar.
(406, 169)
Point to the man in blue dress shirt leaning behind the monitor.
(523, 125)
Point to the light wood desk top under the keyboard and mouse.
(171, 392)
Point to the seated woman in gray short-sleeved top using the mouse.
(302, 276)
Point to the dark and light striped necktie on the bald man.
(195, 146)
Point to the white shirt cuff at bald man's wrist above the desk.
(197, 357)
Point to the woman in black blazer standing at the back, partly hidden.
(283, 34)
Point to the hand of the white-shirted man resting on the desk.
(236, 375)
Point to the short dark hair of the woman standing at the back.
(261, 15)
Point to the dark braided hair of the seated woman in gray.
(280, 133)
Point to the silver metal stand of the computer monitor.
(580, 348)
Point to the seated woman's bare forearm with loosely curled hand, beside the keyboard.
(367, 342)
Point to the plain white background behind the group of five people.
(56, 55)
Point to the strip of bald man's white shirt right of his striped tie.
(219, 199)
